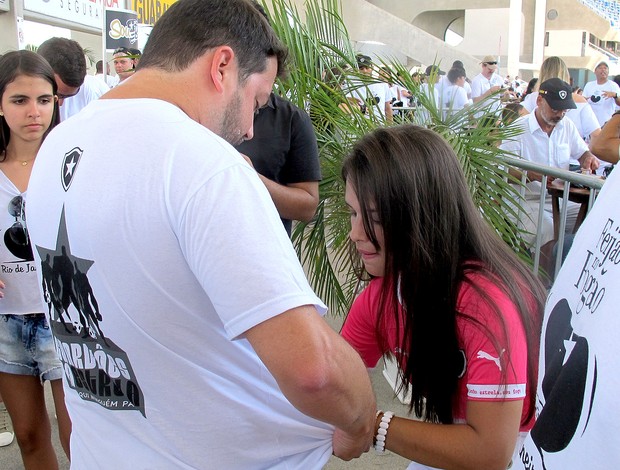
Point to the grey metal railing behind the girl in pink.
(593, 183)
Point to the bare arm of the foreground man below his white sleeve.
(317, 370)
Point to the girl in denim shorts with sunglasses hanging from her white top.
(28, 110)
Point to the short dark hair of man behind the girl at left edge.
(67, 59)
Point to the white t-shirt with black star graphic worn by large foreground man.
(183, 251)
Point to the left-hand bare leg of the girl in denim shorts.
(25, 400)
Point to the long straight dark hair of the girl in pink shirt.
(434, 237)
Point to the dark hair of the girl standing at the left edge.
(14, 64)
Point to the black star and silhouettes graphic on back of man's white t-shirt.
(93, 364)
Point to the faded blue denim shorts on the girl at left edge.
(27, 347)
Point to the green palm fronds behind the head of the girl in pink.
(322, 69)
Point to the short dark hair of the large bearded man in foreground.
(191, 27)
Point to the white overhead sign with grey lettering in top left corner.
(84, 12)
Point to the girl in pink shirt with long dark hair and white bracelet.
(459, 312)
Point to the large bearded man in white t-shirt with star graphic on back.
(189, 335)
